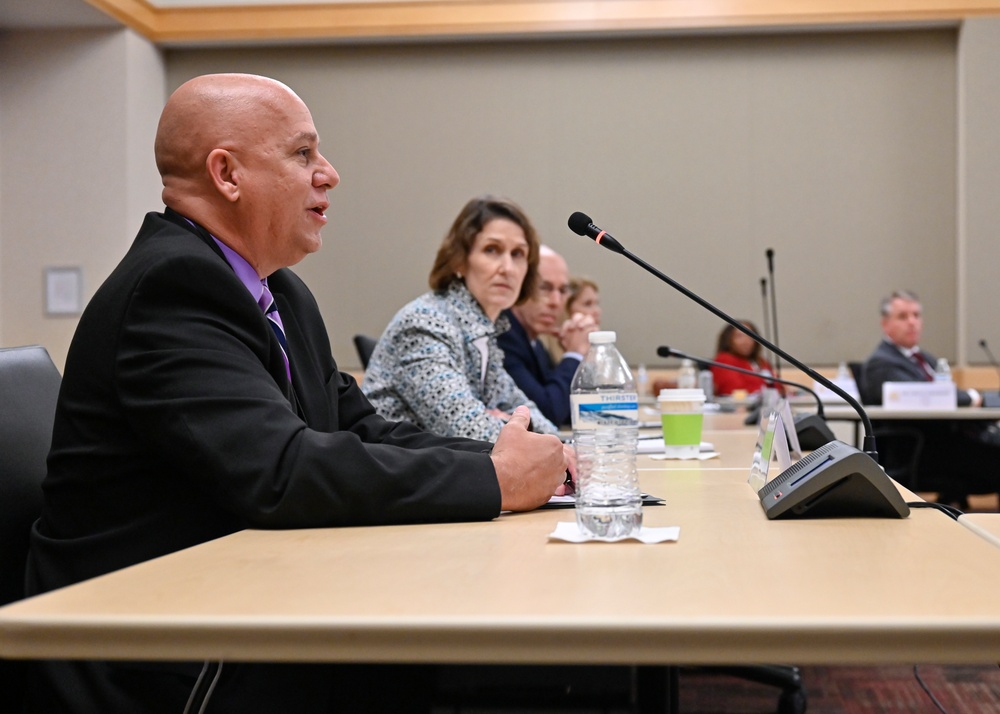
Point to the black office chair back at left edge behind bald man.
(29, 385)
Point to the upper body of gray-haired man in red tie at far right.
(898, 357)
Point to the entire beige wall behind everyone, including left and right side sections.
(839, 150)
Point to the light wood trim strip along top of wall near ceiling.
(465, 18)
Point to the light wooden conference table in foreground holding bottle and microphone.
(735, 588)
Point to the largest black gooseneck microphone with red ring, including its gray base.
(834, 480)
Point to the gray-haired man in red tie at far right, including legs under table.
(955, 456)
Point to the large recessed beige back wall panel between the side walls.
(837, 150)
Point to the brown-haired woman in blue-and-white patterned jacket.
(438, 364)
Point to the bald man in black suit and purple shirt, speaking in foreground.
(200, 397)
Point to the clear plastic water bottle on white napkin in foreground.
(605, 413)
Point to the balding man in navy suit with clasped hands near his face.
(526, 359)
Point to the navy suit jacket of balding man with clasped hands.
(545, 384)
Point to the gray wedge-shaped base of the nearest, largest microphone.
(834, 481)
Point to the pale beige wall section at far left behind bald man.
(78, 114)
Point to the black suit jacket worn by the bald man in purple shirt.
(176, 424)
